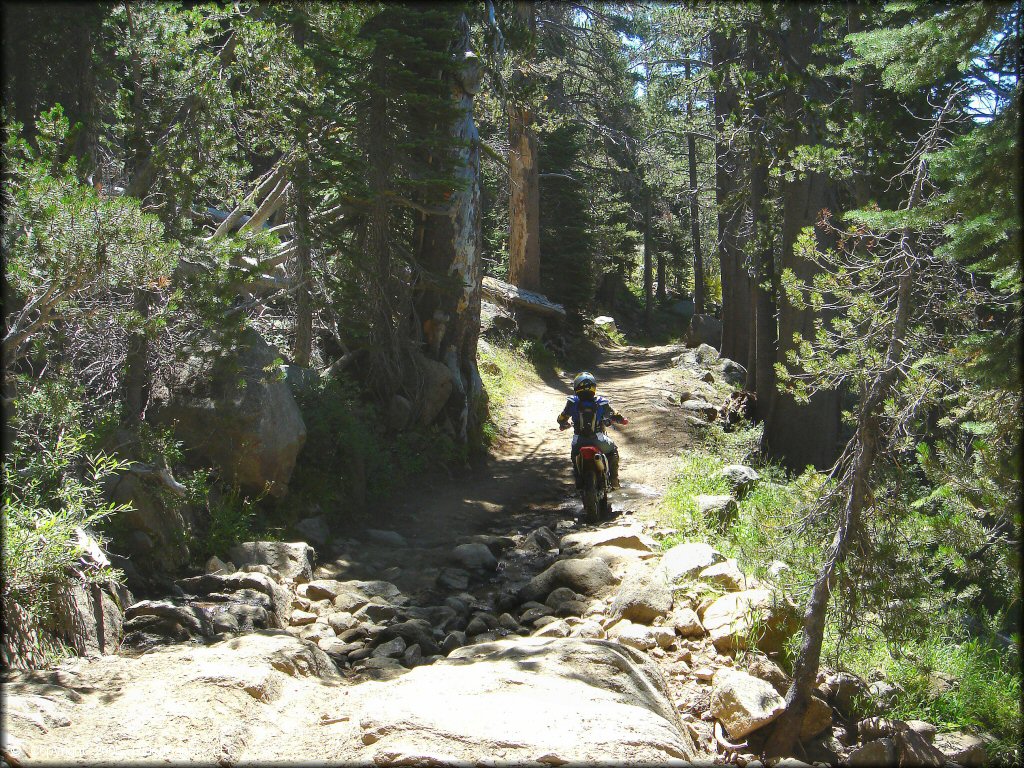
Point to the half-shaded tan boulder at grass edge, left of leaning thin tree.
(755, 618)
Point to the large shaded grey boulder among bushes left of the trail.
(233, 408)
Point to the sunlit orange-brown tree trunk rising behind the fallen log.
(525, 193)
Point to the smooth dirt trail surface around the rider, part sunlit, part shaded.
(528, 482)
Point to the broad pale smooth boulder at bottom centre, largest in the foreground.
(530, 701)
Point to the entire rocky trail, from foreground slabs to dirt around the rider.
(479, 625)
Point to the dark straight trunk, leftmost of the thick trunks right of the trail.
(736, 281)
